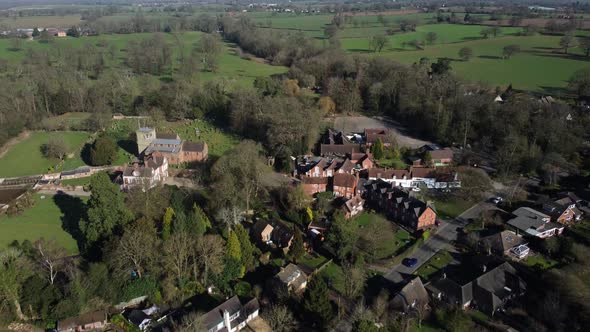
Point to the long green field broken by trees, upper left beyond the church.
(232, 68)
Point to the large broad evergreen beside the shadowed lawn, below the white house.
(106, 209)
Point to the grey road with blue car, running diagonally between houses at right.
(448, 231)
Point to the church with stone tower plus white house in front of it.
(157, 151)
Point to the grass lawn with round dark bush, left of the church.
(25, 158)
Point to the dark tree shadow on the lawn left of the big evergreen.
(73, 210)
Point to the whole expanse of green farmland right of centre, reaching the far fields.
(541, 65)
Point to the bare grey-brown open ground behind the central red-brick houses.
(348, 124)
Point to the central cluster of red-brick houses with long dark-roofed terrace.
(346, 168)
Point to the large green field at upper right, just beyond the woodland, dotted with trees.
(540, 66)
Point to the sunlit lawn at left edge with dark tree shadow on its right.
(42, 220)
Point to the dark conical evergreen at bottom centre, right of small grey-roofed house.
(316, 302)
